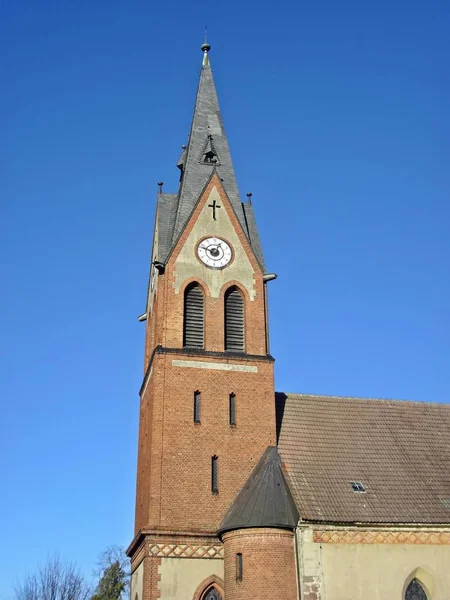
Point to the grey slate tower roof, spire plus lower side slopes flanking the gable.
(207, 134)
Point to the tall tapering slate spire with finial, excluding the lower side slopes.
(207, 149)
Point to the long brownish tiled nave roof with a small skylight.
(399, 451)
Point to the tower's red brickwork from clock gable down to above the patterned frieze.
(174, 466)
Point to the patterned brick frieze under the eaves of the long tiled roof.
(382, 537)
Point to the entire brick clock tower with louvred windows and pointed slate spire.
(207, 411)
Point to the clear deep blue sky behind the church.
(338, 122)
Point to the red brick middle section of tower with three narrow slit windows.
(174, 479)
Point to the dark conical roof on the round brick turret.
(265, 499)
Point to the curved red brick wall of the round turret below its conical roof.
(268, 559)
